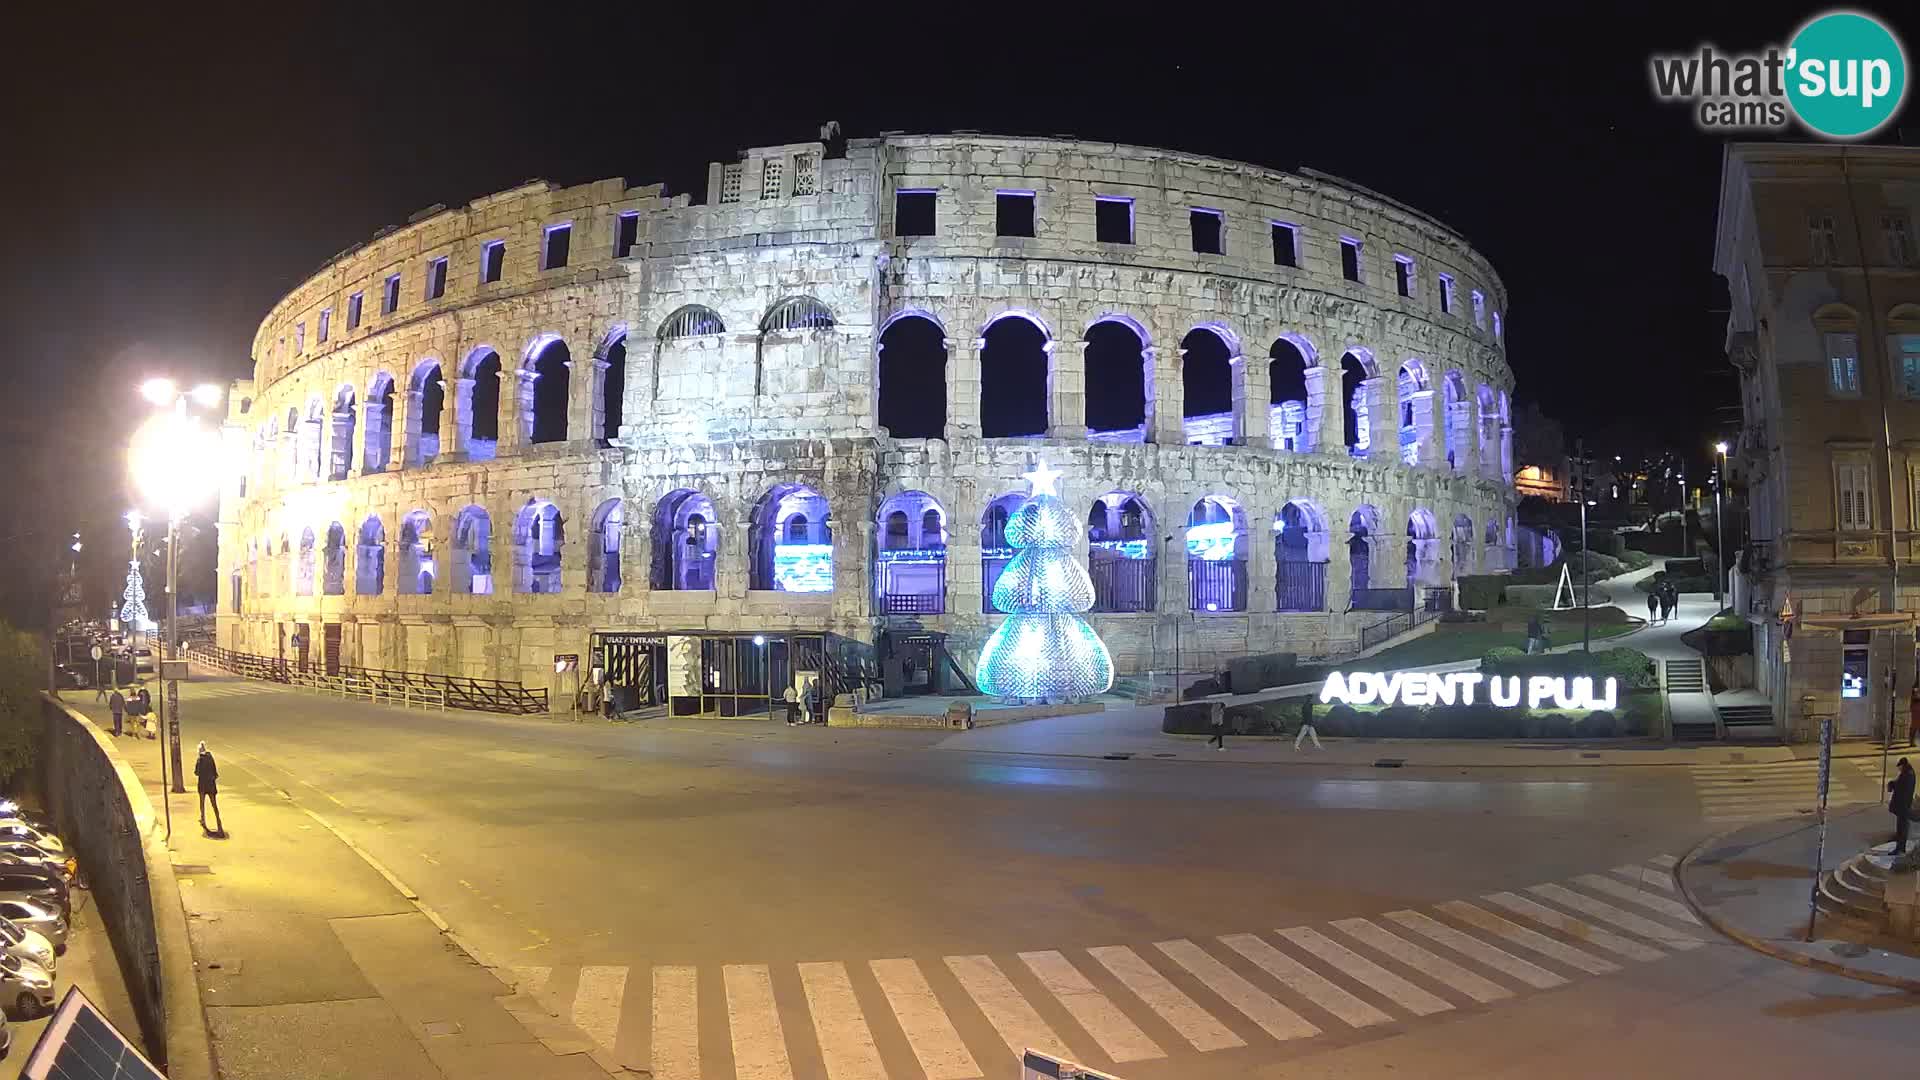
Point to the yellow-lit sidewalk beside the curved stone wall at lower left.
(316, 964)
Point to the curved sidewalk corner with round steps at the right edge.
(1754, 887)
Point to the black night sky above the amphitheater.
(172, 176)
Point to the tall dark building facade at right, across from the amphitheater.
(1817, 247)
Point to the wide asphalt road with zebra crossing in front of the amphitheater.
(740, 900)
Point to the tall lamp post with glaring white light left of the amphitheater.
(174, 464)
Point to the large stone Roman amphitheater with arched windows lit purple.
(713, 447)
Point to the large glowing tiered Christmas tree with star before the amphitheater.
(1044, 652)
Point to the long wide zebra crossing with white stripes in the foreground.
(967, 1018)
